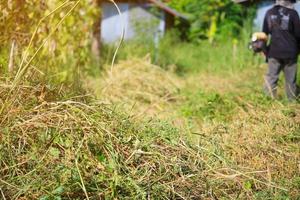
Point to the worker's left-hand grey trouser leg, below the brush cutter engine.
(272, 76)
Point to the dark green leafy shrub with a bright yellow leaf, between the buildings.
(211, 19)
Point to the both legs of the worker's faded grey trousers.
(289, 67)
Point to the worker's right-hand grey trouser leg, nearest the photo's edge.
(290, 73)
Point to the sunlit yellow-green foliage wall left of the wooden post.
(68, 46)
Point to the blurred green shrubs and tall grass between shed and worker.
(216, 38)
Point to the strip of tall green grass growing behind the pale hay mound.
(221, 56)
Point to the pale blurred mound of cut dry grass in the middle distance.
(139, 86)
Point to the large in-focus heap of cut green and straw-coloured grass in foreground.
(82, 149)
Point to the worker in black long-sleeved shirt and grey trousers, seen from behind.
(283, 24)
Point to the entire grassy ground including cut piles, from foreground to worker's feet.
(199, 127)
